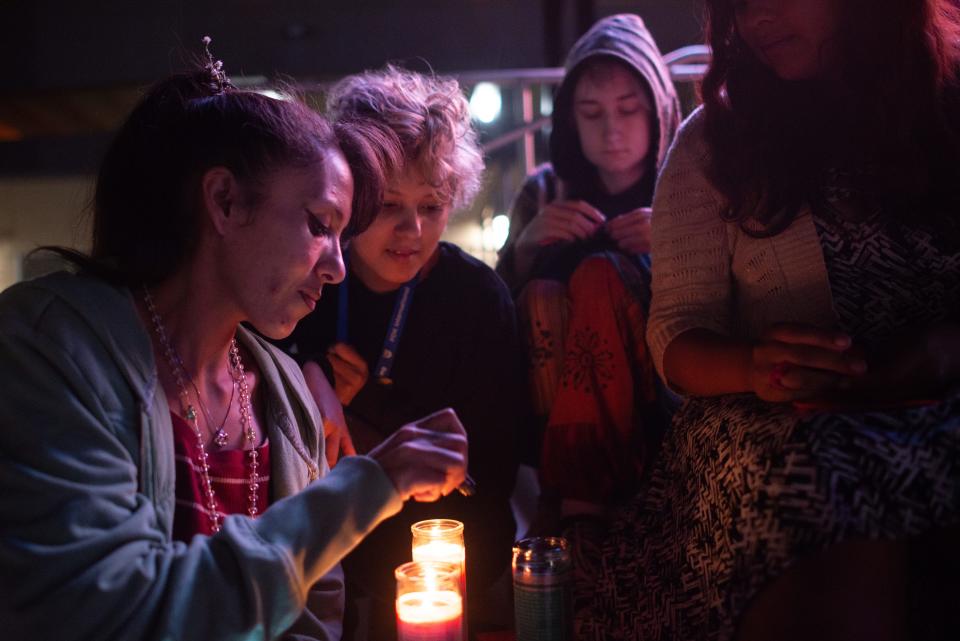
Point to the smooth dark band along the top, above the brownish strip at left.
(58, 44)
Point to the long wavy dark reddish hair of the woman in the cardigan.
(893, 106)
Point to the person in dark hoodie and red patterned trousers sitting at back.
(577, 259)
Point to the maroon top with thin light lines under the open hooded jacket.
(229, 475)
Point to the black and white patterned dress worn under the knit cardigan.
(744, 488)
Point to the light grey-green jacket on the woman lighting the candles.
(87, 489)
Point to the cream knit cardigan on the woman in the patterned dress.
(710, 274)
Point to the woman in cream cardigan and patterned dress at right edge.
(806, 280)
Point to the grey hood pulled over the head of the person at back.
(625, 38)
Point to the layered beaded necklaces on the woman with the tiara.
(181, 377)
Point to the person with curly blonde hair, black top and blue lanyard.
(420, 324)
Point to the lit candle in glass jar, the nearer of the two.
(429, 603)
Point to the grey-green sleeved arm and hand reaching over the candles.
(86, 499)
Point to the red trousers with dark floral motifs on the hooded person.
(592, 378)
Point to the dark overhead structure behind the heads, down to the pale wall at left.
(70, 71)
